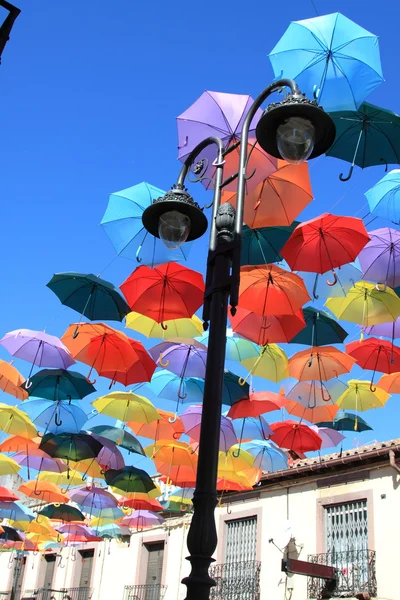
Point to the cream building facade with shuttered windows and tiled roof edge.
(340, 510)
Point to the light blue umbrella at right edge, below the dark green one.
(384, 197)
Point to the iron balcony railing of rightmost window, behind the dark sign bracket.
(355, 573)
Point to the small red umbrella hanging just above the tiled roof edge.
(295, 436)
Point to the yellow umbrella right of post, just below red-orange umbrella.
(271, 364)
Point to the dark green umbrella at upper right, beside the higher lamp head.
(366, 137)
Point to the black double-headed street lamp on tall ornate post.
(294, 129)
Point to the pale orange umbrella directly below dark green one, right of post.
(320, 363)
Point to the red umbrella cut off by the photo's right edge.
(375, 355)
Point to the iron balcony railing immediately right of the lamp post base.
(236, 581)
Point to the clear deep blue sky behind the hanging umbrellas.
(89, 93)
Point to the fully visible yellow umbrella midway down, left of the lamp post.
(127, 406)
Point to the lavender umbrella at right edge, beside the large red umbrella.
(380, 258)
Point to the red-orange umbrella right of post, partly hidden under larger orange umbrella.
(267, 329)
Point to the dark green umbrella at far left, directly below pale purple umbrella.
(59, 384)
